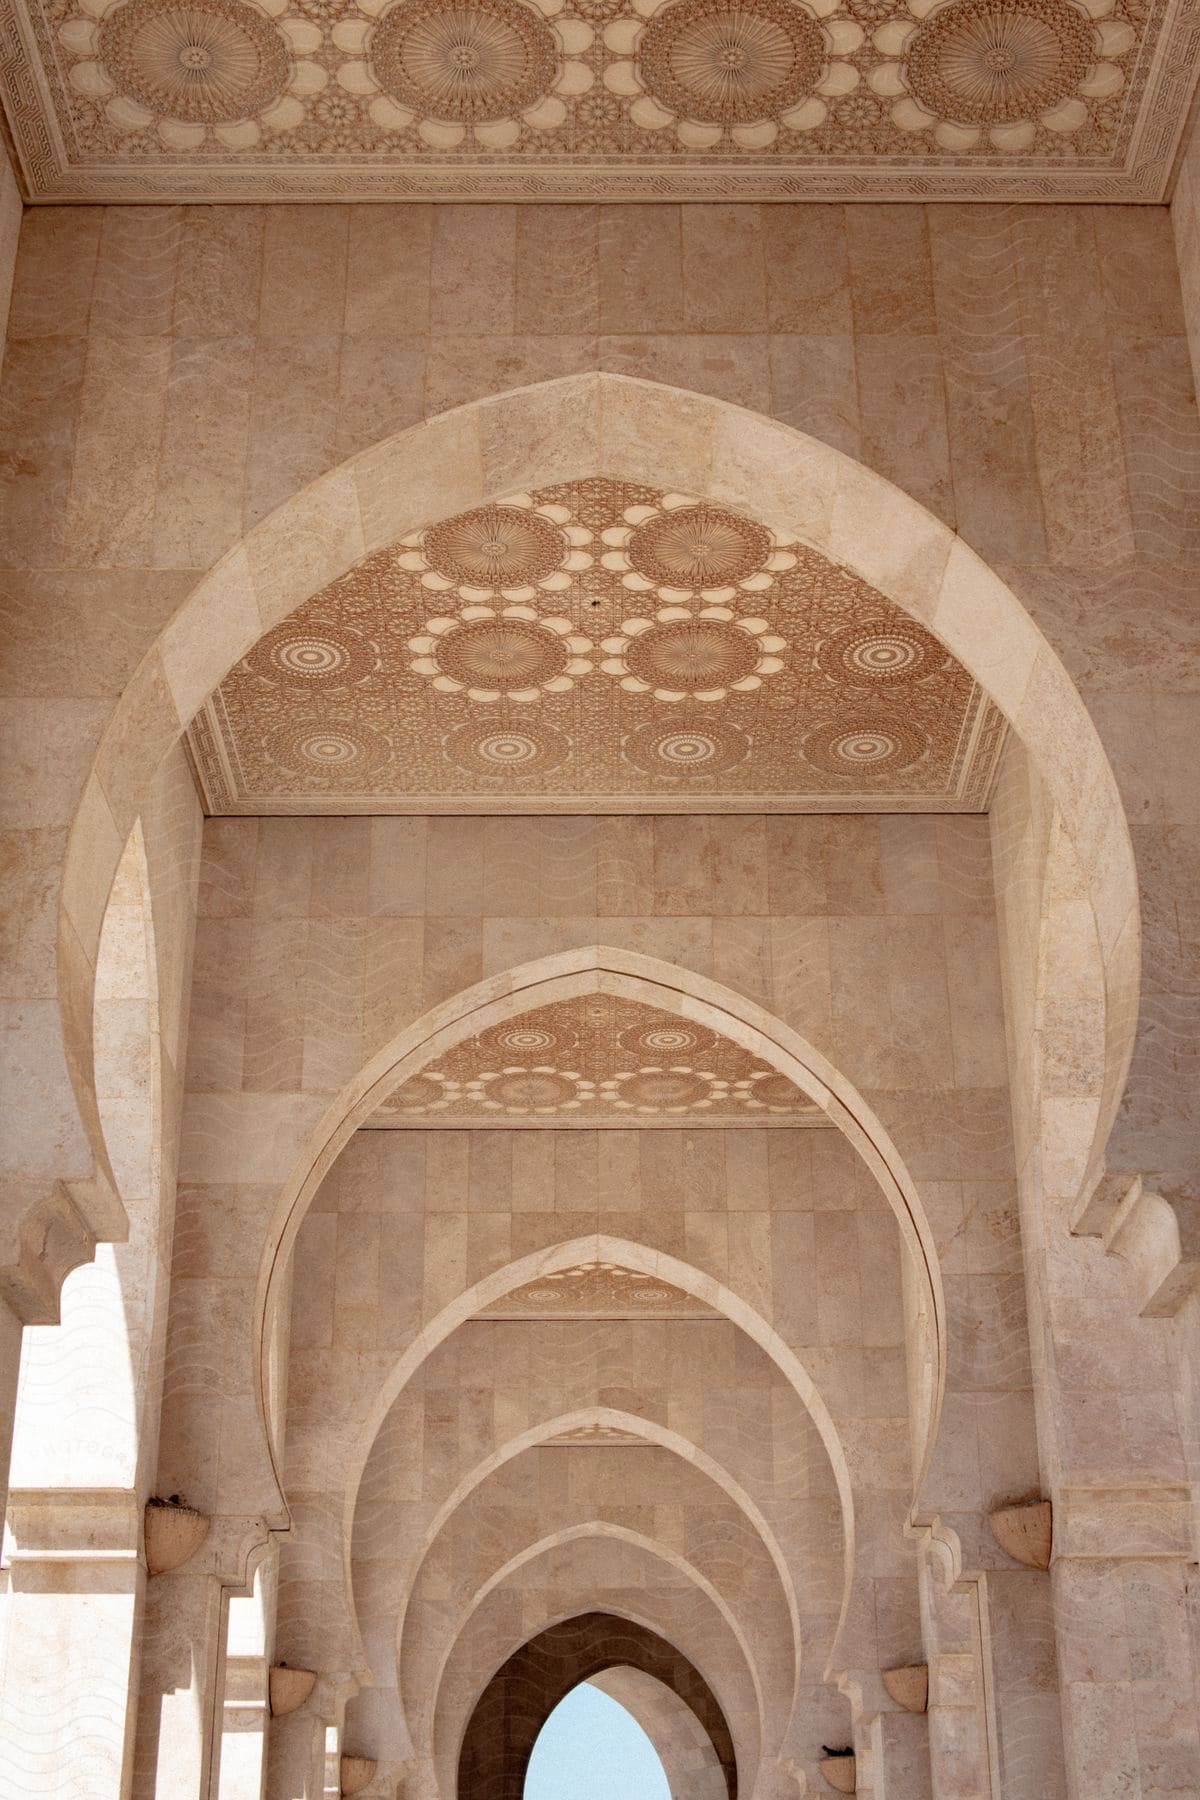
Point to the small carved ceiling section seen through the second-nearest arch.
(598, 1061)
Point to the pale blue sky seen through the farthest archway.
(591, 1749)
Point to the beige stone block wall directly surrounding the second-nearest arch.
(321, 940)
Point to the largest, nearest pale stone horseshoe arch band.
(638, 431)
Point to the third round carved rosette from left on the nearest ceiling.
(731, 62)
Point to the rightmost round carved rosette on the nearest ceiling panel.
(998, 62)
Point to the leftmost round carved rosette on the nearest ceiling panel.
(204, 62)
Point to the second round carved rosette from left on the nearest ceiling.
(470, 64)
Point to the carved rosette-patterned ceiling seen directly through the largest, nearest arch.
(598, 647)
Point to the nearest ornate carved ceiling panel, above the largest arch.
(782, 100)
